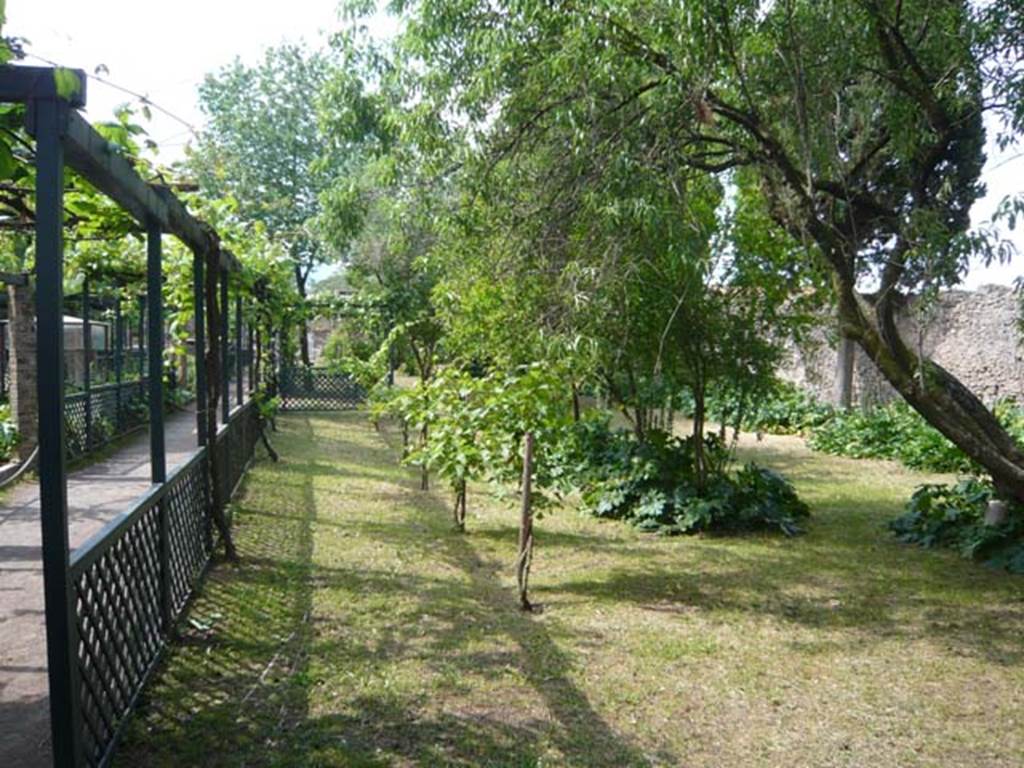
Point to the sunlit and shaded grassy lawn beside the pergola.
(361, 631)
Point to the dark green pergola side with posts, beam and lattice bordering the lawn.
(94, 682)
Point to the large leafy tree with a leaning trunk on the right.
(869, 153)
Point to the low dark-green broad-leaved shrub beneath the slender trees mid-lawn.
(651, 485)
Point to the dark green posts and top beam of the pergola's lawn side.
(65, 139)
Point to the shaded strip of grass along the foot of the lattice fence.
(235, 678)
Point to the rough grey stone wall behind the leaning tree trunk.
(974, 334)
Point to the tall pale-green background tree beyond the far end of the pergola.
(266, 148)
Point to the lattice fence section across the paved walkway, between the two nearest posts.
(106, 413)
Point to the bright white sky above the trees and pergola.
(164, 50)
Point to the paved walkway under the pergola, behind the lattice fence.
(96, 495)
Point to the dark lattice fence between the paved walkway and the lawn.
(134, 580)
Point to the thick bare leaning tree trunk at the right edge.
(935, 394)
